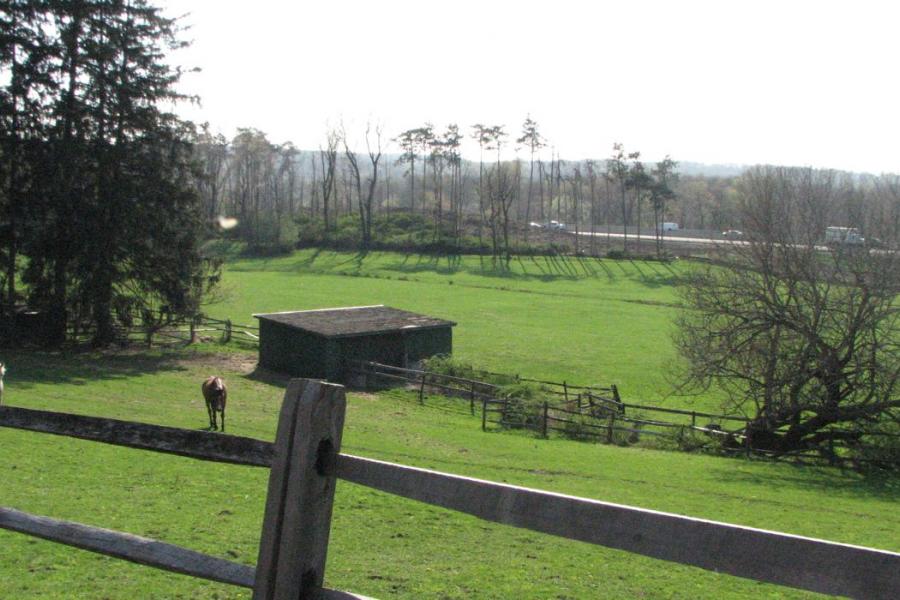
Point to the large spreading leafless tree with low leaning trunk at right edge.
(802, 337)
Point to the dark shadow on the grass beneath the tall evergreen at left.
(30, 367)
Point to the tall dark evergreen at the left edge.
(114, 221)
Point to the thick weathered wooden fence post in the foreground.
(297, 520)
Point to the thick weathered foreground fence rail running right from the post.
(781, 558)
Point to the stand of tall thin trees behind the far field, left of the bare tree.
(494, 200)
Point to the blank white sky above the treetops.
(790, 82)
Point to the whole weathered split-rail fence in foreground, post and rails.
(305, 462)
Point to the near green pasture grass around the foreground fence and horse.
(381, 545)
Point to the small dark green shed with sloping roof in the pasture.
(321, 343)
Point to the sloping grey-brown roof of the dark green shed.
(355, 320)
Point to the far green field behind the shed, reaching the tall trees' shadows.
(582, 320)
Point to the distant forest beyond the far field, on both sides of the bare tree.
(345, 192)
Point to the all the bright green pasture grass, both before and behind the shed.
(382, 545)
